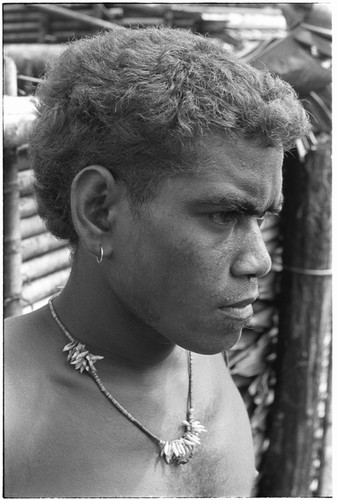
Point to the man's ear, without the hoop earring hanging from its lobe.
(95, 201)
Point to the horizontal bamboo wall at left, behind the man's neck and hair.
(36, 263)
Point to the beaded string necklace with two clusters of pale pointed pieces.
(179, 451)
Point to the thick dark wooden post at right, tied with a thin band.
(292, 465)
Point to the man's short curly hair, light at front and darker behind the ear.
(136, 102)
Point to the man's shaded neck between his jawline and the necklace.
(94, 315)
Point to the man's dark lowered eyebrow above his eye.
(241, 205)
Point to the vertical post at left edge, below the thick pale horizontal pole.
(12, 237)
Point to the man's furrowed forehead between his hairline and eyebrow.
(240, 169)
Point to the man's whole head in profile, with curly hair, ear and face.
(165, 151)
